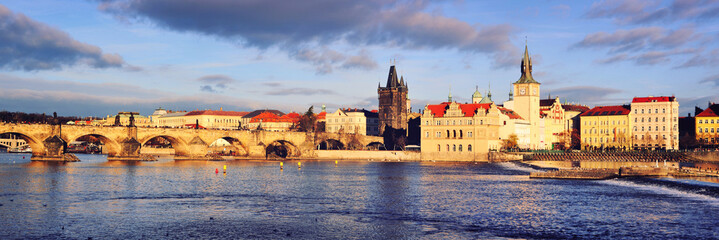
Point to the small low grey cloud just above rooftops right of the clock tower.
(586, 94)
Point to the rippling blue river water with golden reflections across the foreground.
(353, 199)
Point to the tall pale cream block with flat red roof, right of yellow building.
(655, 122)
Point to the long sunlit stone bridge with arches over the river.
(48, 142)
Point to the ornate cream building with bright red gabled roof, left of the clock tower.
(454, 131)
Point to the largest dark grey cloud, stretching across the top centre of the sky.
(304, 29)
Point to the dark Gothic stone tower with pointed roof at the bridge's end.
(393, 109)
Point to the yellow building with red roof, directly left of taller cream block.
(606, 127)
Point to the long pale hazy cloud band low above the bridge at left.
(90, 99)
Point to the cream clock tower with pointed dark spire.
(526, 99)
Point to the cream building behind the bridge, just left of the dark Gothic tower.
(351, 120)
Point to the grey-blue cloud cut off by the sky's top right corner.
(646, 12)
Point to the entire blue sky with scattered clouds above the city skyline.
(95, 58)
